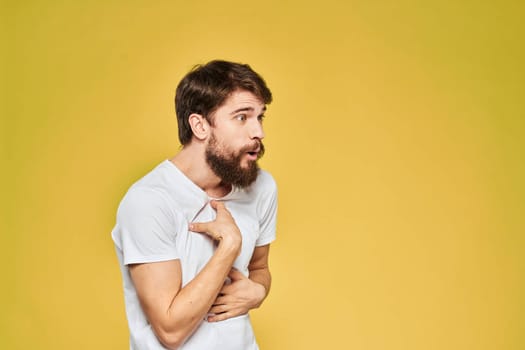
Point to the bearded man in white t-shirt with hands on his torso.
(192, 236)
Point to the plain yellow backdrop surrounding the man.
(396, 138)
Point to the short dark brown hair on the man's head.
(206, 87)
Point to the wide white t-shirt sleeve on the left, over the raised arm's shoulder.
(147, 228)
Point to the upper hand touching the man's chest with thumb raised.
(222, 229)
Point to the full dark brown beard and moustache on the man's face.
(228, 166)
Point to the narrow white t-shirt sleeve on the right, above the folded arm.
(268, 216)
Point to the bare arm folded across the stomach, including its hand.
(244, 294)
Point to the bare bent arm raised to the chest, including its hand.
(175, 312)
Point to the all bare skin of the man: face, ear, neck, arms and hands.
(175, 312)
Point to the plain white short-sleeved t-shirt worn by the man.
(152, 225)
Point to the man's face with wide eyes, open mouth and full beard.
(235, 142)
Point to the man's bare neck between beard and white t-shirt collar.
(191, 161)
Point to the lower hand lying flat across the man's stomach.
(237, 298)
